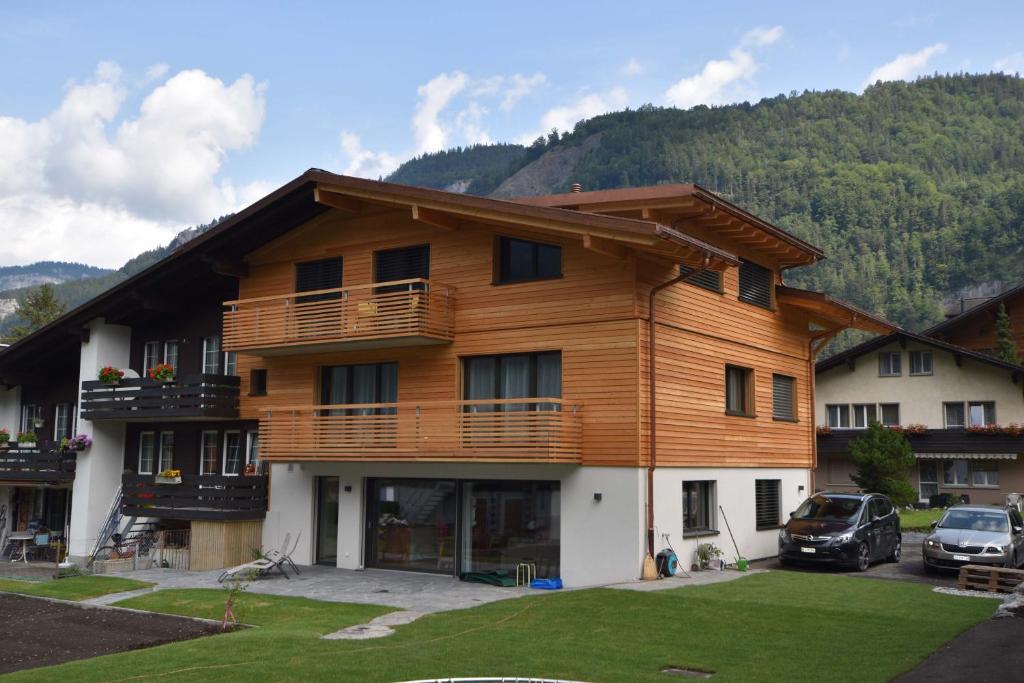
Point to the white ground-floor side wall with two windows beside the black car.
(735, 492)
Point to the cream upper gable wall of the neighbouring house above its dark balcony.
(921, 398)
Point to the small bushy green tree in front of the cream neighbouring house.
(884, 460)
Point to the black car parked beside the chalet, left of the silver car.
(850, 530)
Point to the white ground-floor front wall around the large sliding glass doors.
(602, 541)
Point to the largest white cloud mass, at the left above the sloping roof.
(76, 190)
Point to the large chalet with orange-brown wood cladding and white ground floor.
(447, 383)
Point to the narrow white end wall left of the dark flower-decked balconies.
(99, 471)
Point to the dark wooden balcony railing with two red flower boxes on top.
(193, 398)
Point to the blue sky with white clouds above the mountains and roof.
(122, 123)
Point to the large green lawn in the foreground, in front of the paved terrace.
(773, 627)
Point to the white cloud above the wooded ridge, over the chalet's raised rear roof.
(723, 81)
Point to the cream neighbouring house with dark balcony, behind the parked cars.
(905, 379)
